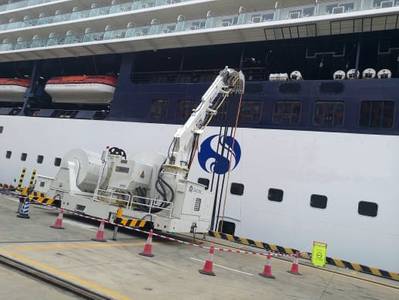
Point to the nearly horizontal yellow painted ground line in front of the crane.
(74, 245)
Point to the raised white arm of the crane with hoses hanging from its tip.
(227, 83)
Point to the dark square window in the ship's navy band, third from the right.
(287, 112)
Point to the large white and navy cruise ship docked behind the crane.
(314, 155)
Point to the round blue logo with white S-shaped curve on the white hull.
(210, 155)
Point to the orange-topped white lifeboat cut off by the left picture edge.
(13, 90)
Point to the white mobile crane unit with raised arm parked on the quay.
(150, 187)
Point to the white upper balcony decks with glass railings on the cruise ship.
(141, 27)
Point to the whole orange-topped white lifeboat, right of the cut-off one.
(81, 89)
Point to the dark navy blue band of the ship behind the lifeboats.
(163, 86)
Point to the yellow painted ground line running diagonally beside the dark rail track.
(92, 285)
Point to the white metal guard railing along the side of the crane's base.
(134, 203)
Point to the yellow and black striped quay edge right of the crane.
(284, 250)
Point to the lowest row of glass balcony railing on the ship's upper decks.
(324, 8)
